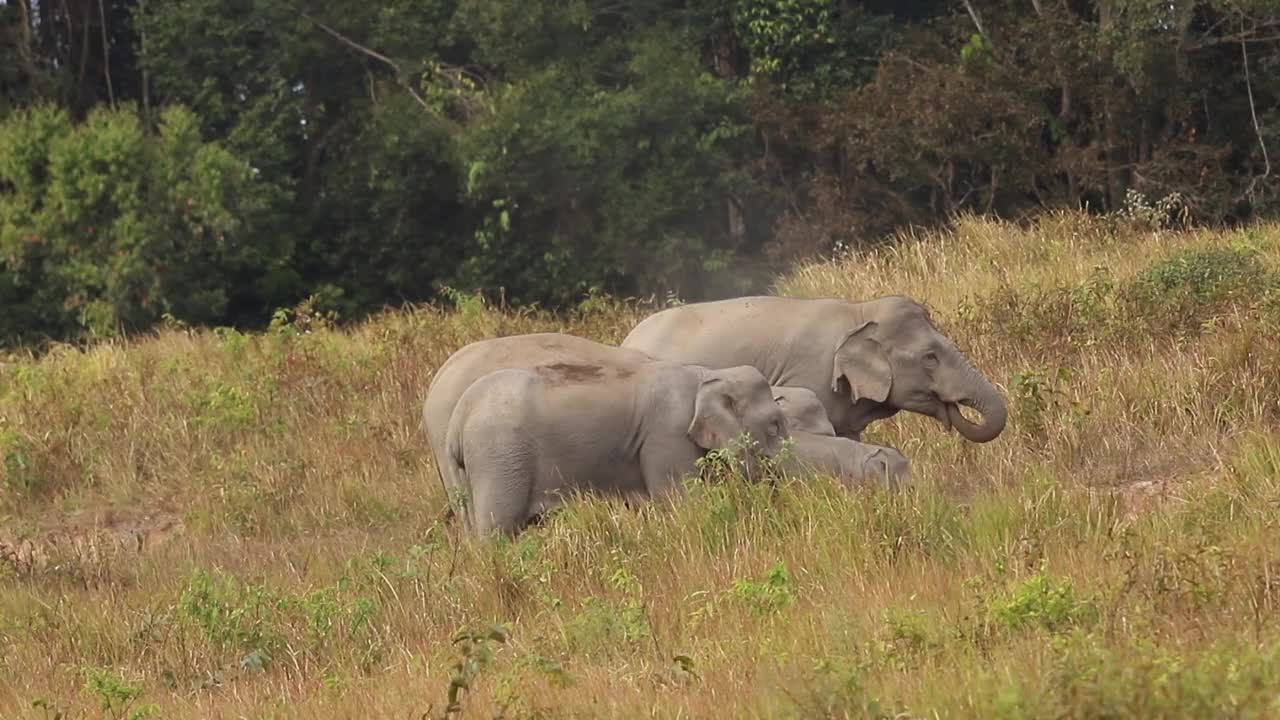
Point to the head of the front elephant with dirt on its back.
(733, 402)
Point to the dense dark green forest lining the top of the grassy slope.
(381, 153)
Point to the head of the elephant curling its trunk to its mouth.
(894, 359)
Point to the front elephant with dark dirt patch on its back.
(523, 440)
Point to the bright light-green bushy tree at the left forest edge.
(106, 226)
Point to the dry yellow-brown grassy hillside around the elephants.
(208, 525)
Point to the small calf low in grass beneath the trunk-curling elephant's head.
(851, 462)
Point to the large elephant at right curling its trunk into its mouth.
(863, 361)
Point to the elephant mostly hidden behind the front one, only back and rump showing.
(481, 358)
